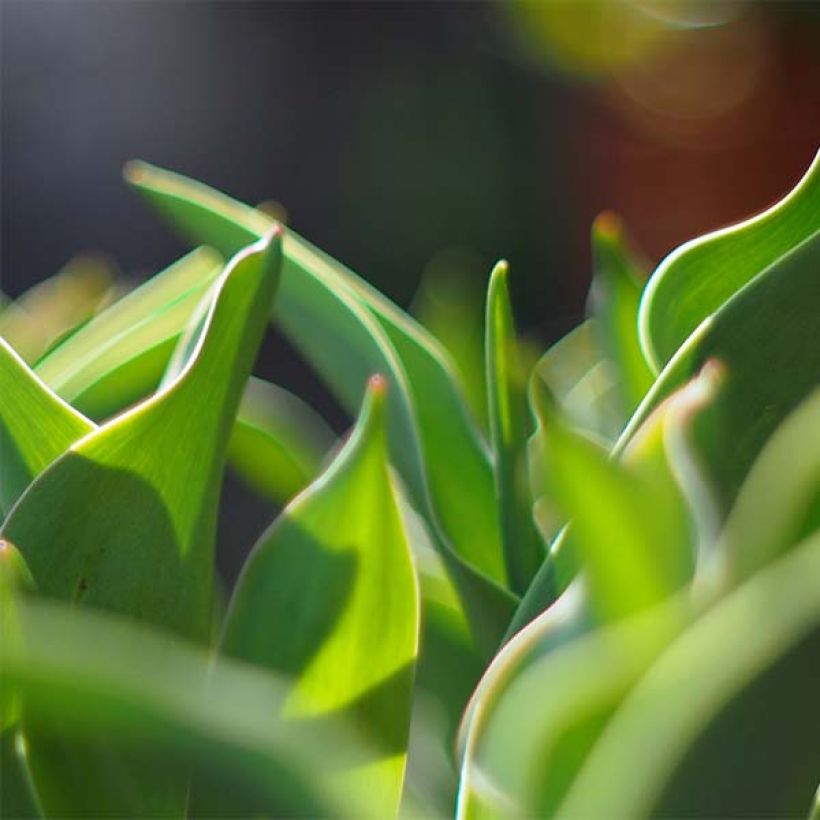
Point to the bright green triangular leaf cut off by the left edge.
(36, 426)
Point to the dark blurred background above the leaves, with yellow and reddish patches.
(414, 141)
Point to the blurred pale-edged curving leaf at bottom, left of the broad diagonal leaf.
(519, 760)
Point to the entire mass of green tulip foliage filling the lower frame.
(579, 584)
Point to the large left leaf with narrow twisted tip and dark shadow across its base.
(135, 502)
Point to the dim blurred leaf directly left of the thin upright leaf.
(450, 306)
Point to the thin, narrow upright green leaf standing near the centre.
(509, 429)
